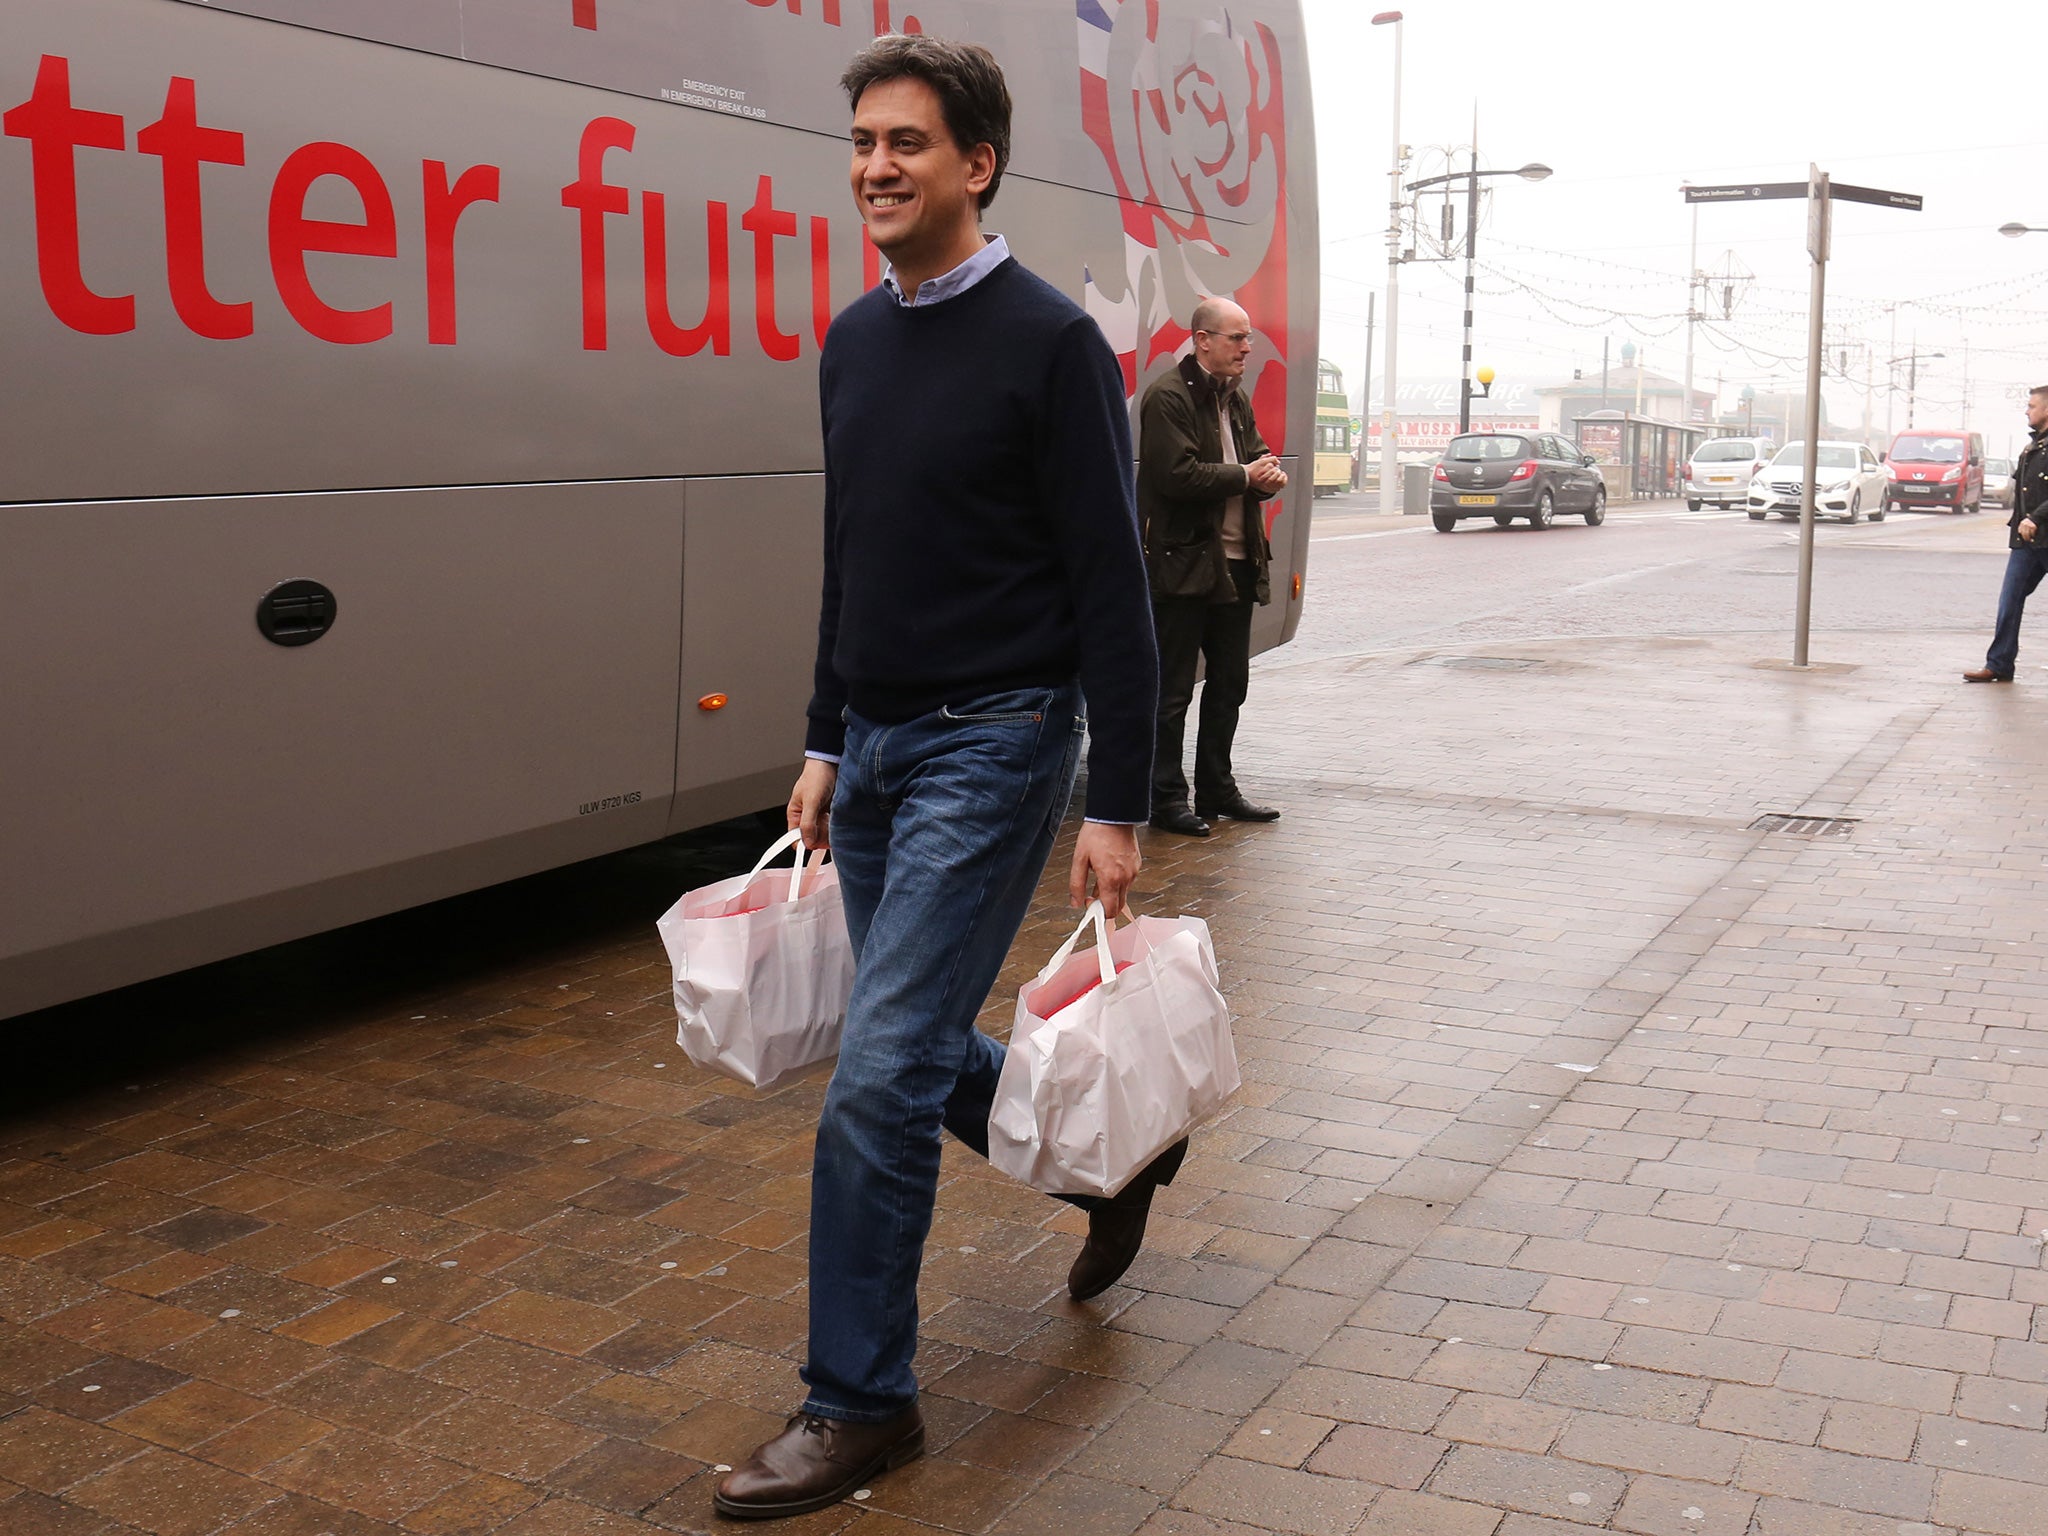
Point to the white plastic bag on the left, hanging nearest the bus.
(763, 970)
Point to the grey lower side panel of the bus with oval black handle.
(495, 693)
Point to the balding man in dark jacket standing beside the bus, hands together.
(1203, 474)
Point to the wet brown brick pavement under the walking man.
(1601, 1164)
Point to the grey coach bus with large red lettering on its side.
(409, 435)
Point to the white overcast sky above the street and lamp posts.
(1627, 99)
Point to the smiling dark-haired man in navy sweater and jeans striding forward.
(982, 579)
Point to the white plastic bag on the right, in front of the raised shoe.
(1117, 1054)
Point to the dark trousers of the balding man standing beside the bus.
(1220, 636)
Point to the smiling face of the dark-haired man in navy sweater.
(914, 185)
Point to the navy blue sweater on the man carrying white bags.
(980, 521)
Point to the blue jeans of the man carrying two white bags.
(941, 828)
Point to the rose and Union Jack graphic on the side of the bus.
(1189, 114)
